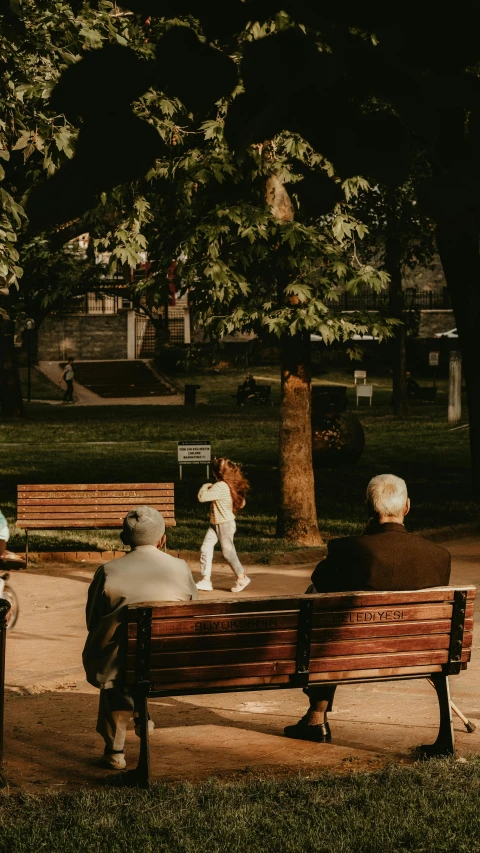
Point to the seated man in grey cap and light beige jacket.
(144, 574)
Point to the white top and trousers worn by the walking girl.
(222, 528)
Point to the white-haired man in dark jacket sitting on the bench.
(385, 557)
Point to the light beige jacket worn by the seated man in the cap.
(144, 575)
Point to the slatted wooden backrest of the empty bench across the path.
(87, 506)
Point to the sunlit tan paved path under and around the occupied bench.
(51, 710)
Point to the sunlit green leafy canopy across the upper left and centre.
(132, 163)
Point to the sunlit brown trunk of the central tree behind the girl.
(297, 513)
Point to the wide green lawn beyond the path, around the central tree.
(71, 444)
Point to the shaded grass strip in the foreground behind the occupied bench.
(426, 808)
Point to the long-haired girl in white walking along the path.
(227, 496)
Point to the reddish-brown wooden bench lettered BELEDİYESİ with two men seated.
(276, 642)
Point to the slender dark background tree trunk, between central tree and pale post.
(394, 268)
